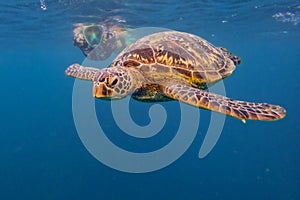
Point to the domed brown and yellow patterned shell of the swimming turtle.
(181, 53)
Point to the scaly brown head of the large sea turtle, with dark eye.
(113, 83)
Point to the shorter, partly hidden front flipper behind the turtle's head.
(78, 71)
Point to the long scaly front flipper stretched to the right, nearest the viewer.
(238, 109)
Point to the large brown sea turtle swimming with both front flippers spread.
(173, 65)
